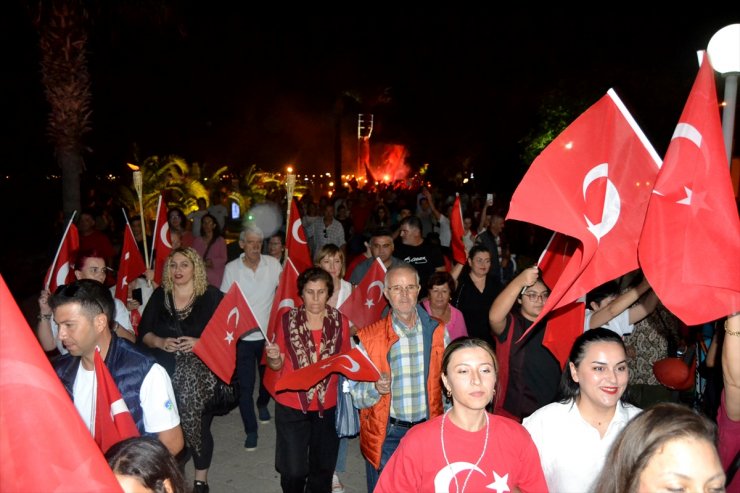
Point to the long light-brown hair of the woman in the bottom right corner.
(644, 436)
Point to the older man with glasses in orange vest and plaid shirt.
(407, 347)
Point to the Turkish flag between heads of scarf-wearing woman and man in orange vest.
(365, 305)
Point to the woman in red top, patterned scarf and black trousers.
(307, 442)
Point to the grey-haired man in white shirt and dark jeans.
(258, 276)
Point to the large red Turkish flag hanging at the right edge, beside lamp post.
(690, 245)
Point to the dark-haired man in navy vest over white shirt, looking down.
(84, 311)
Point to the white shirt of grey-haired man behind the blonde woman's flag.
(258, 287)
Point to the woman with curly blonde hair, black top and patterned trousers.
(173, 321)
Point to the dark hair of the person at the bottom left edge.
(148, 460)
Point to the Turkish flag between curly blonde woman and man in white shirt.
(217, 344)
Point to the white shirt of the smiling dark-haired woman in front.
(571, 451)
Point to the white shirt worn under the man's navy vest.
(156, 396)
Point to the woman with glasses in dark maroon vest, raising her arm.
(529, 373)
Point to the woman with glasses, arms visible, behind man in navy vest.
(88, 264)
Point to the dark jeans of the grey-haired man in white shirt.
(248, 358)
